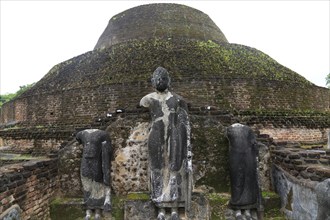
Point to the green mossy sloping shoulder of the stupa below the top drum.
(225, 59)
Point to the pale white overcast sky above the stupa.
(36, 35)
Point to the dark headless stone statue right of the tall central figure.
(244, 175)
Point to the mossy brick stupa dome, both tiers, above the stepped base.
(205, 68)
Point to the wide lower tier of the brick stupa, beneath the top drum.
(227, 76)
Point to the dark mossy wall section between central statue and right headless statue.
(210, 148)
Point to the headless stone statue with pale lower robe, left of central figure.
(95, 170)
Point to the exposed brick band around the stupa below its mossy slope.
(83, 105)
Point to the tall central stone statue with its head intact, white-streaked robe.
(169, 147)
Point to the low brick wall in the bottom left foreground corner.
(31, 185)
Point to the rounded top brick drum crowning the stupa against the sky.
(160, 21)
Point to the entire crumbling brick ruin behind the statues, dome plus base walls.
(223, 83)
